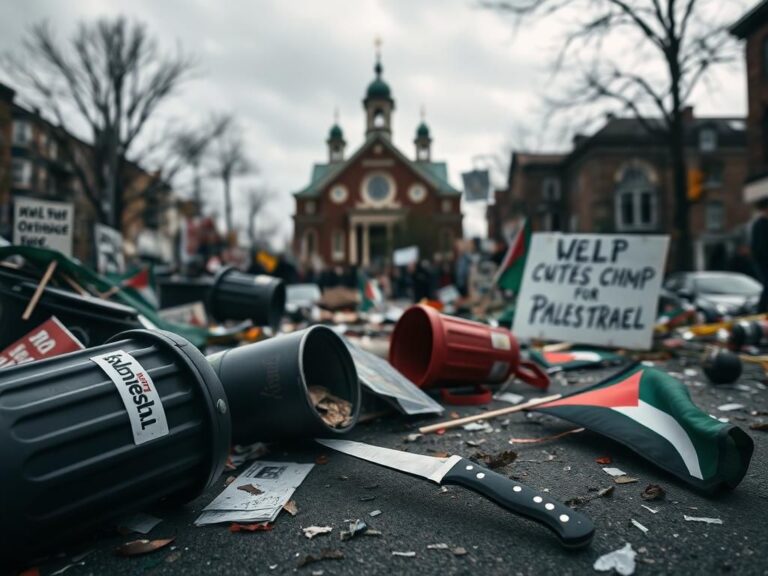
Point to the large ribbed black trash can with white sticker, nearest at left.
(89, 436)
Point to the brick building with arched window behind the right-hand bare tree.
(619, 180)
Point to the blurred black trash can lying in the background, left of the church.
(235, 295)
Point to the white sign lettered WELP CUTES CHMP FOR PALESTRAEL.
(591, 289)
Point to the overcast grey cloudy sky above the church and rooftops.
(283, 67)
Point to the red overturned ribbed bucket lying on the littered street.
(430, 348)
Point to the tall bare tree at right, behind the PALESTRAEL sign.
(642, 56)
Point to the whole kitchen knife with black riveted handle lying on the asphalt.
(573, 529)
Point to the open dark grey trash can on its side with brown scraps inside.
(268, 385)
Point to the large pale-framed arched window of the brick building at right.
(636, 201)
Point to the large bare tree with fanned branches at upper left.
(110, 78)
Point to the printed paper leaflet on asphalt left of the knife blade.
(276, 482)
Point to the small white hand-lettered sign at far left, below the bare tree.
(43, 224)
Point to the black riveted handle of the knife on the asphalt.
(575, 530)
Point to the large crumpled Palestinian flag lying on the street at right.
(652, 413)
